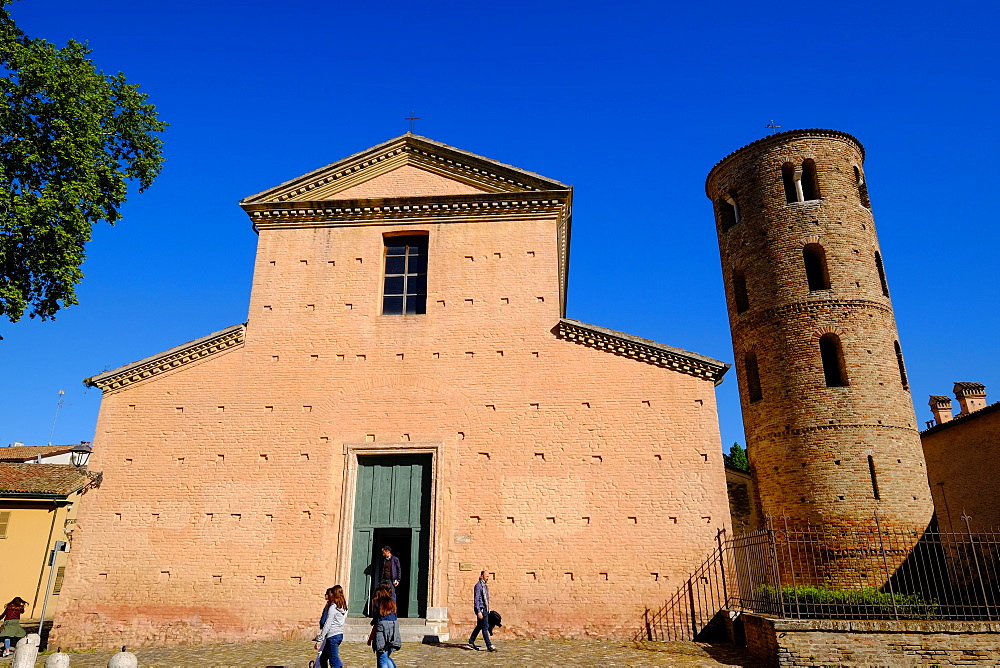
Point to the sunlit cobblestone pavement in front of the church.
(297, 654)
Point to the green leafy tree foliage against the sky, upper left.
(71, 140)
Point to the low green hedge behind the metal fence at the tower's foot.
(864, 603)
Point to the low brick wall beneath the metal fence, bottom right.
(819, 642)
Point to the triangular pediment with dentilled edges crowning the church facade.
(407, 166)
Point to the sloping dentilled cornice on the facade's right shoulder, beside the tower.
(642, 350)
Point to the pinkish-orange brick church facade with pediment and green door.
(407, 376)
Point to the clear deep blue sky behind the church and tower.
(631, 102)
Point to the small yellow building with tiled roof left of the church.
(38, 506)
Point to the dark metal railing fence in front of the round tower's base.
(820, 572)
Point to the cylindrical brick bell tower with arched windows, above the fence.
(830, 426)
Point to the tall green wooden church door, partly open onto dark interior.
(392, 506)
